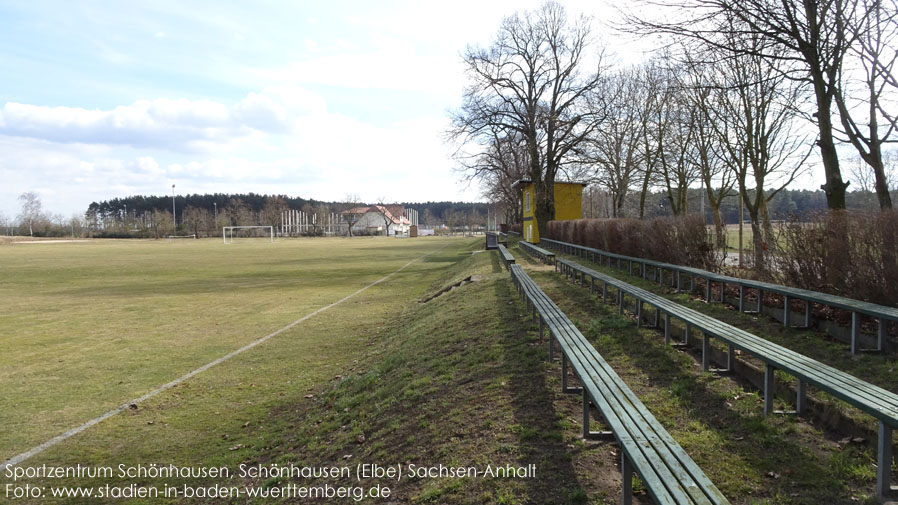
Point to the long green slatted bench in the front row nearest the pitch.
(669, 474)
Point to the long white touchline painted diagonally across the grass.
(74, 431)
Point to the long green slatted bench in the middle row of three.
(868, 398)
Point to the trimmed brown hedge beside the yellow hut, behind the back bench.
(680, 241)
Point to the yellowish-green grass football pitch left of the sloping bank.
(88, 327)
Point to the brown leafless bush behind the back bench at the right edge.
(845, 253)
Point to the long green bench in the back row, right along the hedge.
(858, 308)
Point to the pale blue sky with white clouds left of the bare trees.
(305, 98)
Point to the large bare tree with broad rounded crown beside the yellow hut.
(529, 84)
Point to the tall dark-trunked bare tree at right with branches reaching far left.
(807, 40)
